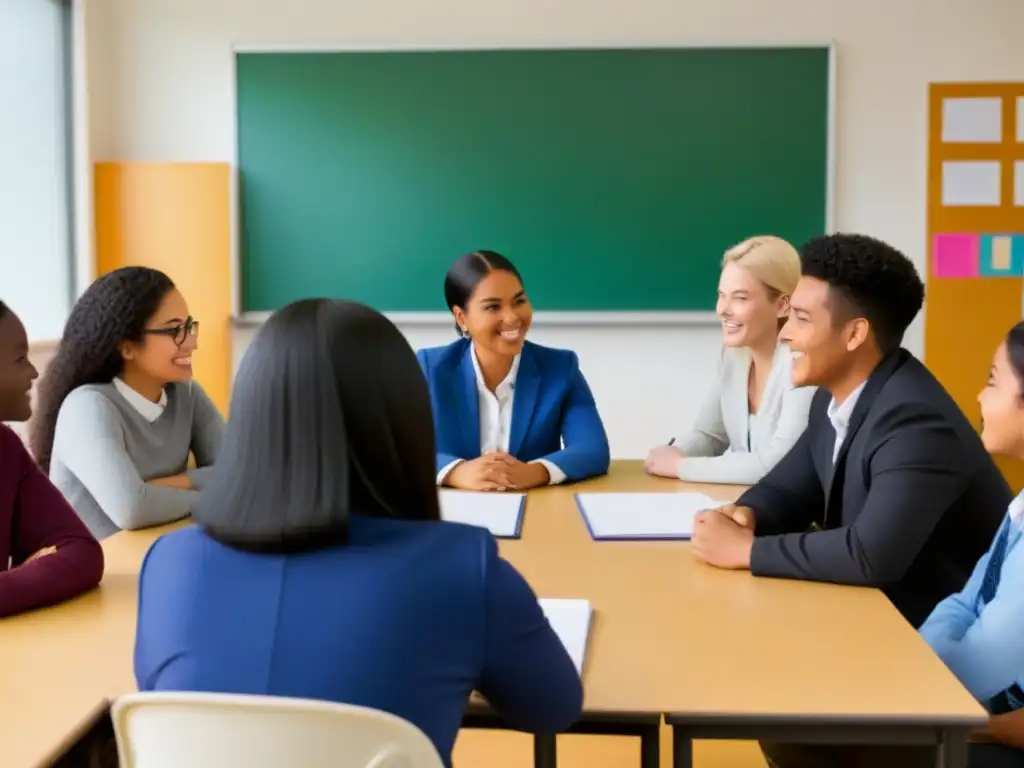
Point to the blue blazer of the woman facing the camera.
(552, 404)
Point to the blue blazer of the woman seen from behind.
(408, 617)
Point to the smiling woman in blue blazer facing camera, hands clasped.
(508, 414)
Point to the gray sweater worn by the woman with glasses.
(105, 451)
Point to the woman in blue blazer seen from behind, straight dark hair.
(321, 569)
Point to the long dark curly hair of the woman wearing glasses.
(113, 310)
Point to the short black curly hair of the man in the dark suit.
(871, 280)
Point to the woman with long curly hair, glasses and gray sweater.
(119, 412)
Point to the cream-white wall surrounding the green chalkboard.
(161, 91)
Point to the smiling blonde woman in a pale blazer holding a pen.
(755, 415)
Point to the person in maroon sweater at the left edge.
(47, 553)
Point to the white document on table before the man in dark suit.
(650, 517)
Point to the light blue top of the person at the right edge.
(977, 631)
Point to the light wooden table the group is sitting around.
(722, 654)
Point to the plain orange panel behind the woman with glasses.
(176, 218)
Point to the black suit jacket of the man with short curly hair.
(913, 503)
